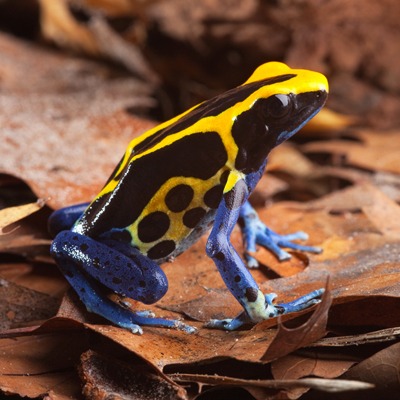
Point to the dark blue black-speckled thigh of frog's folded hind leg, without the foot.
(135, 276)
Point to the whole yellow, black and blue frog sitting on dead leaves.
(177, 181)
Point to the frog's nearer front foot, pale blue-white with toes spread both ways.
(265, 309)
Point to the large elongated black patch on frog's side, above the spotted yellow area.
(200, 155)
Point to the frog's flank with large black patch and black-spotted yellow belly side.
(165, 198)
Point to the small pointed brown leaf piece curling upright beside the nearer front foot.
(288, 340)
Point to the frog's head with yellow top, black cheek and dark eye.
(282, 101)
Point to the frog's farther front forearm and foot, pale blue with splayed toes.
(256, 232)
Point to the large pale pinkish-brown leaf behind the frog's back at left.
(79, 124)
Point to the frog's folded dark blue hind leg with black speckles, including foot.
(90, 265)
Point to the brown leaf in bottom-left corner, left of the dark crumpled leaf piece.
(37, 365)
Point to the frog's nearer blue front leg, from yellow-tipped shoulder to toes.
(257, 306)
